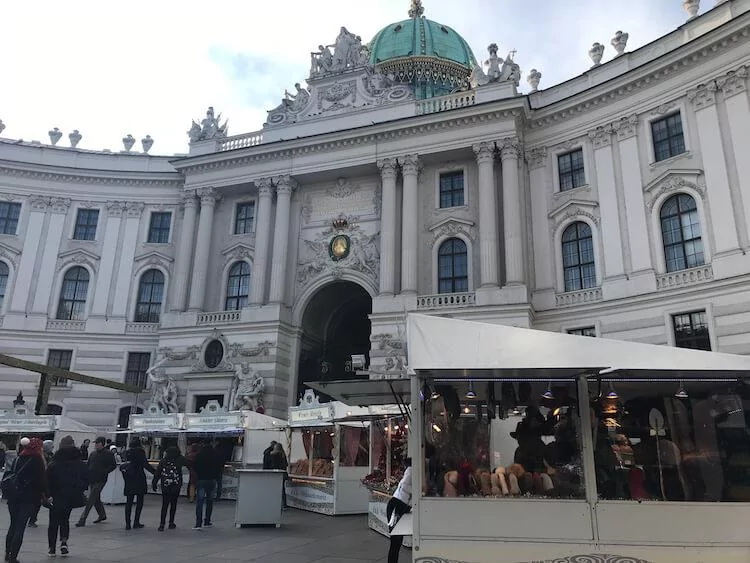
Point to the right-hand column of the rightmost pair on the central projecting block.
(509, 153)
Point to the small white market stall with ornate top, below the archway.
(329, 457)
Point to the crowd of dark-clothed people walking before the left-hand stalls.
(71, 477)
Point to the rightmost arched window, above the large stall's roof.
(681, 233)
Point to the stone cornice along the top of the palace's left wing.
(90, 177)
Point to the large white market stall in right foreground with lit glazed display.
(595, 446)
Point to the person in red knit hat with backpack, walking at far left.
(28, 487)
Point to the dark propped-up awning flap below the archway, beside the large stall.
(365, 392)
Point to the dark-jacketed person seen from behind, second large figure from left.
(67, 480)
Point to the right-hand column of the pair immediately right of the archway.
(409, 224)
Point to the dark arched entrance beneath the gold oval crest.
(335, 326)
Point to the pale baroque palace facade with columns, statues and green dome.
(405, 177)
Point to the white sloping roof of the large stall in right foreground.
(450, 348)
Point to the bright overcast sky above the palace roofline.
(138, 67)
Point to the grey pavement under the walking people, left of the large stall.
(303, 538)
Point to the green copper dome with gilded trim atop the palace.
(428, 55)
